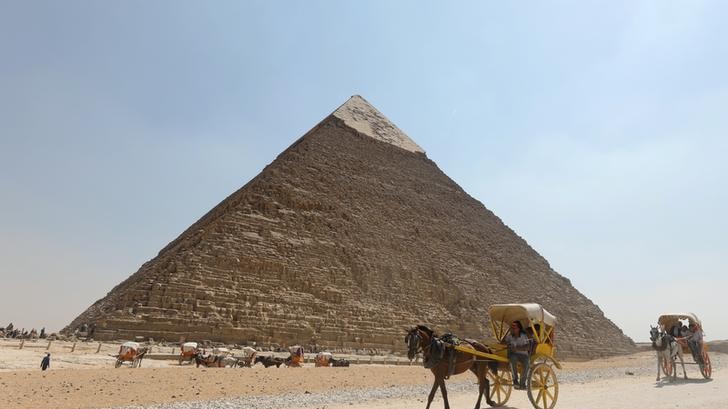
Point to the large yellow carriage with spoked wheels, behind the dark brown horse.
(542, 385)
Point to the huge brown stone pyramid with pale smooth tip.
(350, 236)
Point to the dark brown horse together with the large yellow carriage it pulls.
(490, 363)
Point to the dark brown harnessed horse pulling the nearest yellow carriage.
(420, 339)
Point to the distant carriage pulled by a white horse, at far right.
(689, 339)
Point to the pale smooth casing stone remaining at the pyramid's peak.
(360, 115)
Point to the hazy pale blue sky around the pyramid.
(597, 130)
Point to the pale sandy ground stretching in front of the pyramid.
(85, 379)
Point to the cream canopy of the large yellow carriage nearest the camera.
(531, 316)
